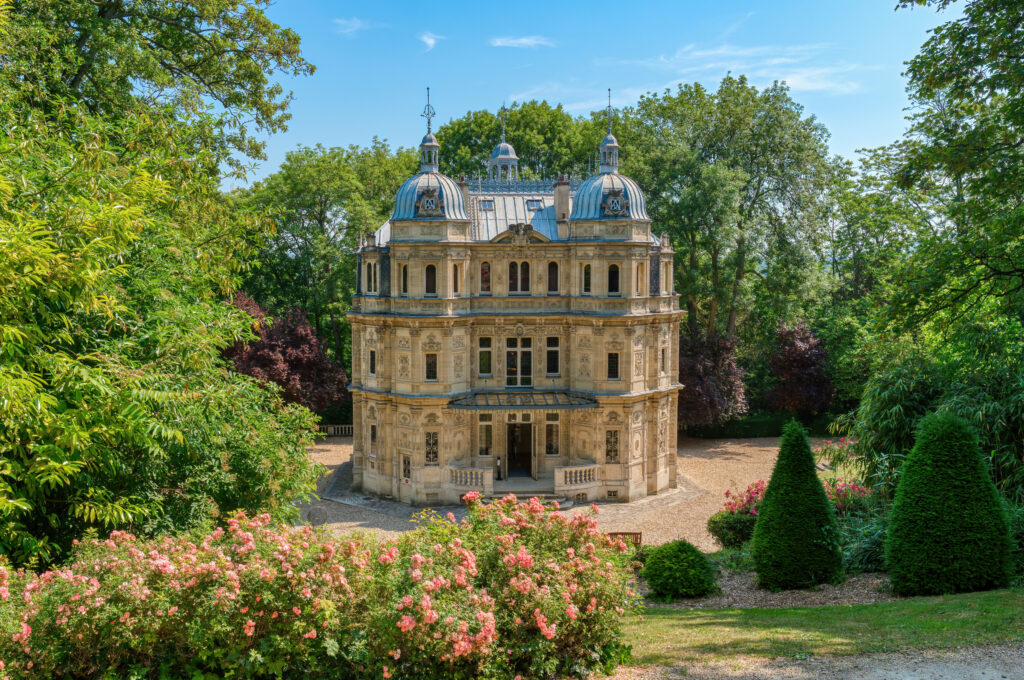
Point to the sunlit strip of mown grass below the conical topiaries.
(671, 637)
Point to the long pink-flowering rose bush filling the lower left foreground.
(515, 589)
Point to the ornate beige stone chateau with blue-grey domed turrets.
(514, 335)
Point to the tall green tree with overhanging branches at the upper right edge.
(967, 145)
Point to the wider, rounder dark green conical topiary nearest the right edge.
(949, 532)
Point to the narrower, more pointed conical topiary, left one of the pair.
(796, 538)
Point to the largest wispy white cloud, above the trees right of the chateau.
(805, 68)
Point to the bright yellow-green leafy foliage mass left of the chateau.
(116, 410)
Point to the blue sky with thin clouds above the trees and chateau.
(843, 61)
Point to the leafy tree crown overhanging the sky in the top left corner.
(211, 57)
